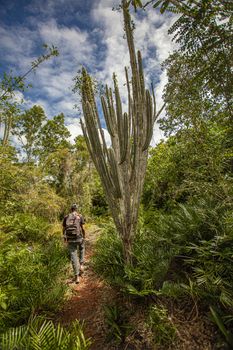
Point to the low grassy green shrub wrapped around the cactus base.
(148, 269)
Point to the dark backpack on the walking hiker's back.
(73, 228)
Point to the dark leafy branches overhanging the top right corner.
(204, 34)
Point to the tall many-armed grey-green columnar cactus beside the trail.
(122, 166)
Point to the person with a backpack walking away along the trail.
(74, 235)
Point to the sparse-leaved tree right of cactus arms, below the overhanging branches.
(189, 103)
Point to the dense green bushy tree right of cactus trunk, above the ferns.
(182, 170)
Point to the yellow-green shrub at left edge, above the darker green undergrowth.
(24, 189)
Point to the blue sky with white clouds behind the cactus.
(86, 32)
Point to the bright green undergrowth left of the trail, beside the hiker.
(32, 270)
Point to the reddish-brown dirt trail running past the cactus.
(88, 297)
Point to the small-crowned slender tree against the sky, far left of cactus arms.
(27, 127)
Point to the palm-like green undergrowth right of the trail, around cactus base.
(187, 255)
